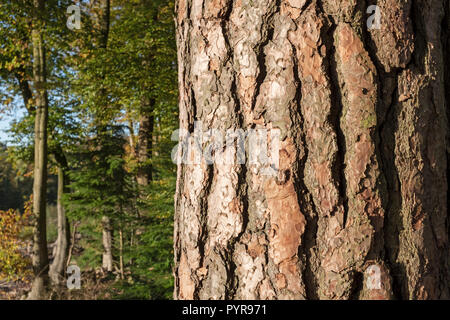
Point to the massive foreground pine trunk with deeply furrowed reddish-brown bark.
(358, 207)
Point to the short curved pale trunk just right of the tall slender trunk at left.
(57, 268)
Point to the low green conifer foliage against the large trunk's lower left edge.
(151, 270)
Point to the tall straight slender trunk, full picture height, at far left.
(40, 253)
